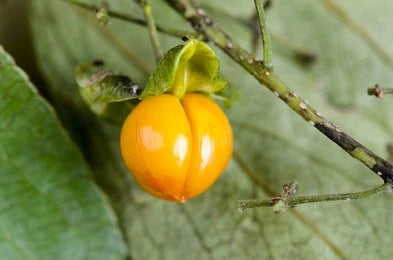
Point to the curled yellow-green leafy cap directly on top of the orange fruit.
(192, 67)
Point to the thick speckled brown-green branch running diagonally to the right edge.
(205, 25)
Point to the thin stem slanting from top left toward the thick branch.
(130, 18)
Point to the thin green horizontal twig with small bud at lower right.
(293, 201)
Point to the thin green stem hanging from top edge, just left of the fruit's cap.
(151, 25)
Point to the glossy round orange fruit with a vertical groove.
(176, 149)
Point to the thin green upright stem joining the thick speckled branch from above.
(267, 48)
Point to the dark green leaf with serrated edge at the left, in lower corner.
(50, 207)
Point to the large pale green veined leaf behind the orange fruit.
(276, 145)
